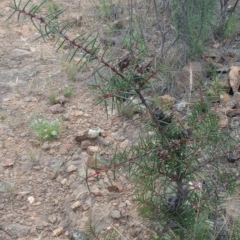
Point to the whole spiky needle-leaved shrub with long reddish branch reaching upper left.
(179, 167)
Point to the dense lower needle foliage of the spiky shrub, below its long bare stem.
(173, 182)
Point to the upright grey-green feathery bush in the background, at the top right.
(192, 21)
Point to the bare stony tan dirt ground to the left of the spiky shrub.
(37, 186)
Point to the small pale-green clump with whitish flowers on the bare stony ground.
(45, 129)
